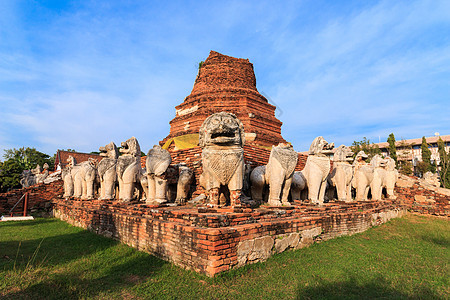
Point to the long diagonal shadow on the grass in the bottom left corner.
(69, 285)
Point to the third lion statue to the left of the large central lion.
(107, 171)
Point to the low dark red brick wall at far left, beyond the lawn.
(40, 196)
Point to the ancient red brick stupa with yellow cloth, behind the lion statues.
(224, 83)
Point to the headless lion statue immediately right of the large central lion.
(277, 174)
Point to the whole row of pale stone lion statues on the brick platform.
(225, 177)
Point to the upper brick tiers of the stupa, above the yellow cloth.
(225, 83)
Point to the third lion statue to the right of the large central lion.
(342, 173)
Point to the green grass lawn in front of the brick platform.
(405, 258)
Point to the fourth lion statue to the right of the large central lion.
(362, 176)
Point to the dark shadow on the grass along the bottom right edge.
(378, 288)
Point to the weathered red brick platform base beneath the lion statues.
(211, 241)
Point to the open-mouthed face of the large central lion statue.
(223, 129)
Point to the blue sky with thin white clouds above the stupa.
(79, 74)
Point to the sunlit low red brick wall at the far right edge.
(419, 197)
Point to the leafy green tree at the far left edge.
(18, 160)
